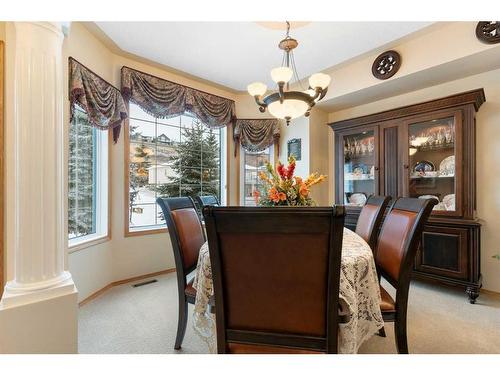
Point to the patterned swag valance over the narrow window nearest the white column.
(102, 102)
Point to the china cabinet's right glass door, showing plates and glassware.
(433, 149)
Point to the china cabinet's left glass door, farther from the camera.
(359, 167)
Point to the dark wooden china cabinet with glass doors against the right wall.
(425, 150)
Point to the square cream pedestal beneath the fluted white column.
(43, 321)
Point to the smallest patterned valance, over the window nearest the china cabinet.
(256, 134)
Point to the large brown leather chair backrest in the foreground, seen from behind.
(276, 274)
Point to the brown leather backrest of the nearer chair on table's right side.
(400, 237)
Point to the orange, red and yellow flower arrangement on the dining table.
(282, 188)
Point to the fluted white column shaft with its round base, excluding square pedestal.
(39, 227)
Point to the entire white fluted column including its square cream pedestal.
(39, 308)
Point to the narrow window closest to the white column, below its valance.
(87, 181)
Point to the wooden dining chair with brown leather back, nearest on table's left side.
(187, 236)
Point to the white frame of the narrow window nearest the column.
(103, 221)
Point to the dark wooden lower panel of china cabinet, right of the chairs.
(444, 252)
